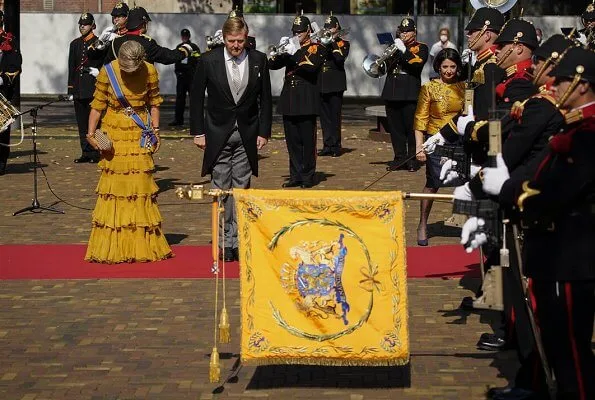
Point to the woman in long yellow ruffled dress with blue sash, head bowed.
(126, 219)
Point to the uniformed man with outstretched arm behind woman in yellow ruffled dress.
(135, 26)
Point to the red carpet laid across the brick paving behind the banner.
(66, 262)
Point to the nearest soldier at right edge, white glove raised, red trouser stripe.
(557, 209)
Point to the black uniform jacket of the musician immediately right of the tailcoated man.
(300, 95)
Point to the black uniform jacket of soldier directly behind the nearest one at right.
(536, 120)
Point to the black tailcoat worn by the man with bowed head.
(253, 112)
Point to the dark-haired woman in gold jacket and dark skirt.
(439, 100)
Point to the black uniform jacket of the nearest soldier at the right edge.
(558, 205)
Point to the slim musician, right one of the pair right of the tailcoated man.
(332, 82)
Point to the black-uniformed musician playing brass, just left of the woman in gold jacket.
(401, 89)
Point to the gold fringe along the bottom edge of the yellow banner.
(328, 362)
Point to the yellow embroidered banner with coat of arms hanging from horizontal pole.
(323, 277)
